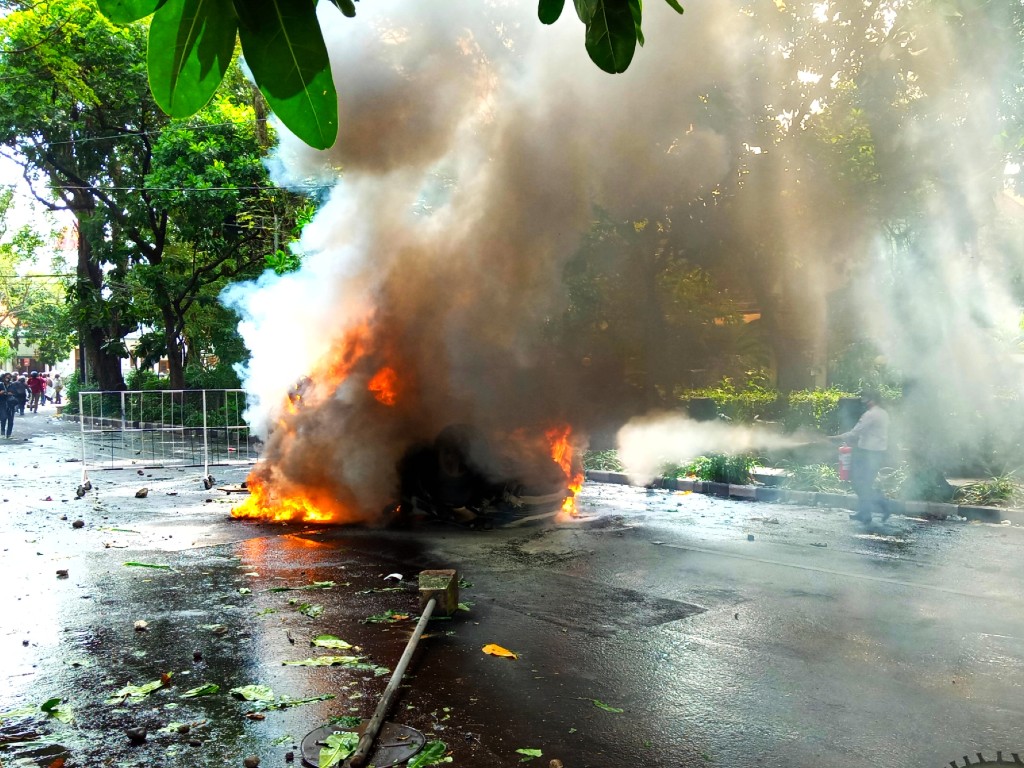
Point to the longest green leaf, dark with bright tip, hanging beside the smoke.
(285, 51)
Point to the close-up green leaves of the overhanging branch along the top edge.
(192, 44)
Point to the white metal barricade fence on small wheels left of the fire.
(165, 429)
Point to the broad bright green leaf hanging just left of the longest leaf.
(191, 48)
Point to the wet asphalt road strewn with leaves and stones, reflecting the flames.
(818, 644)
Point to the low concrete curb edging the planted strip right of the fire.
(933, 510)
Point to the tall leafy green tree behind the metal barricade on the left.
(167, 210)
